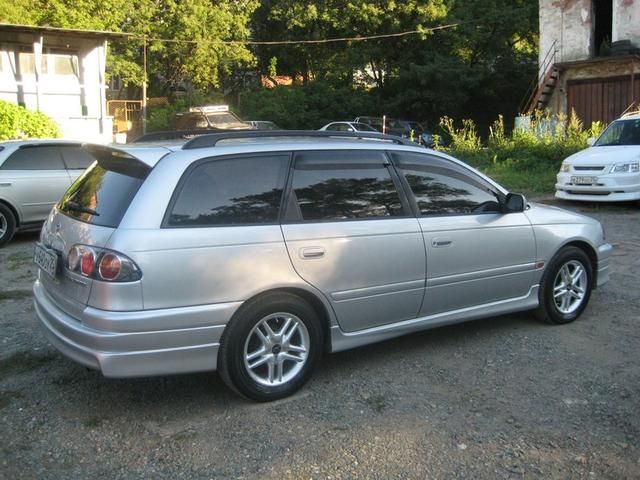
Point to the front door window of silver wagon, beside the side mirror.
(443, 188)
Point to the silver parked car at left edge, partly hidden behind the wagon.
(34, 174)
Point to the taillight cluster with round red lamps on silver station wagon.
(102, 264)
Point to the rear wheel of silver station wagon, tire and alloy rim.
(270, 347)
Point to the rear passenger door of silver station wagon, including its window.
(350, 233)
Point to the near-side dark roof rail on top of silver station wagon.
(210, 140)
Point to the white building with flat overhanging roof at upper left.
(59, 72)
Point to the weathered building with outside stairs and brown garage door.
(589, 58)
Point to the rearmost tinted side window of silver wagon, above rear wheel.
(232, 191)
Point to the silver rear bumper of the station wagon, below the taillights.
(126, 348)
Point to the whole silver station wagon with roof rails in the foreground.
(253, 253)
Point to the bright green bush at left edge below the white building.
(17, 122)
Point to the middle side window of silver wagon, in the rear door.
(344, 185)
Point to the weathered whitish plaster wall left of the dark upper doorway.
(569, 23)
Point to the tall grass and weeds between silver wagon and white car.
(527, 159)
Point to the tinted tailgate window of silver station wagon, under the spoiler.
(102, 195)
